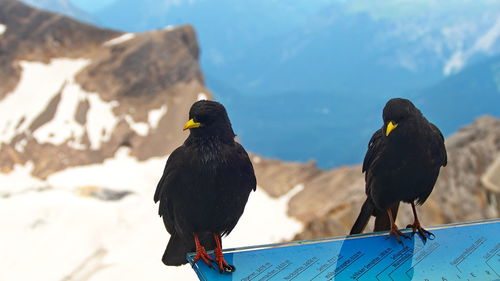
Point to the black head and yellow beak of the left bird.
(209, 118)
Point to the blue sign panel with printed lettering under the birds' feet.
(458, 252)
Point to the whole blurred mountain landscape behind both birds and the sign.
(91, 108)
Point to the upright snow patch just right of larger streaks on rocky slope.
(100, 120)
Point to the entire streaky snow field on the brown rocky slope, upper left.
(30, 98)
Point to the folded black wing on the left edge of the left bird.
(166, 186)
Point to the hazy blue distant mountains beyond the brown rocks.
(327, 65)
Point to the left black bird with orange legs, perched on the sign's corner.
(204, 187)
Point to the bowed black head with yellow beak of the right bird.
(397, 112)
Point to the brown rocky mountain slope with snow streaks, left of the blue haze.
(72, 94)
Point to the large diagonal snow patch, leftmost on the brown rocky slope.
(38, 84)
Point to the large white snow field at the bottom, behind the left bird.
(118, 240)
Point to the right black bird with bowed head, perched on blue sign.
(402, 164)
